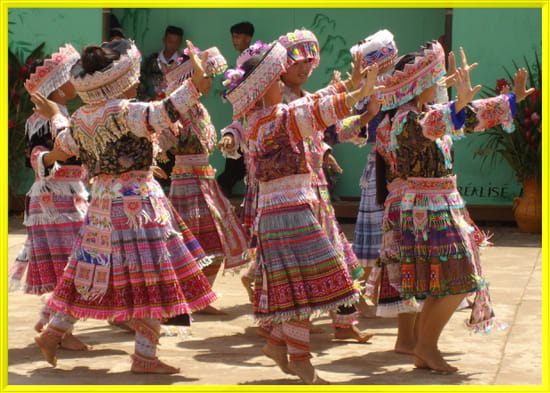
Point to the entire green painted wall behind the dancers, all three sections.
(492, 37)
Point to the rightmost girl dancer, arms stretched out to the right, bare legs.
(437, 243)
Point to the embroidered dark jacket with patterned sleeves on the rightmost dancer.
(419, 144)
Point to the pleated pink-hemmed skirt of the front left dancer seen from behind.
(154, 260)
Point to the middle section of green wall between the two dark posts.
(337, 30)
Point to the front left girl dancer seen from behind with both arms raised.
(134, 259)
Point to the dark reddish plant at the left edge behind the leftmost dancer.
(19, 110)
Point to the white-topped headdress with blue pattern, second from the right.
(377, 48)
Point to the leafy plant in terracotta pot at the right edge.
(522, 149)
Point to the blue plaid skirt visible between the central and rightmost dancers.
(368, 228)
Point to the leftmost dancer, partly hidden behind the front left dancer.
(57, 200)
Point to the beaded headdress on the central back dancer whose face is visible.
(301, 45)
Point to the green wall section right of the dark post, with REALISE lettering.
(493, 38)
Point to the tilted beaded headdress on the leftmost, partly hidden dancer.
(54, 72)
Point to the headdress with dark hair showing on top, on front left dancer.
(112, 81)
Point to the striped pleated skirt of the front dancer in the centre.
(299, 273)
